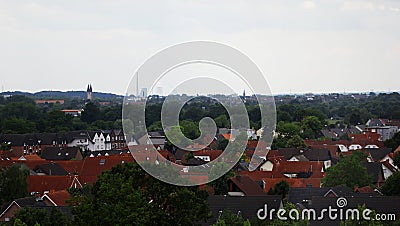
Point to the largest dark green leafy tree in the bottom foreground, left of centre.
(127, 195)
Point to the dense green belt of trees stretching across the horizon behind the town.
(296, 117)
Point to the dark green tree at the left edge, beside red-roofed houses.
(13, 183)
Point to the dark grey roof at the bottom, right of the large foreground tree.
(244, 206)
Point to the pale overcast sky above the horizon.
(301, 46)
